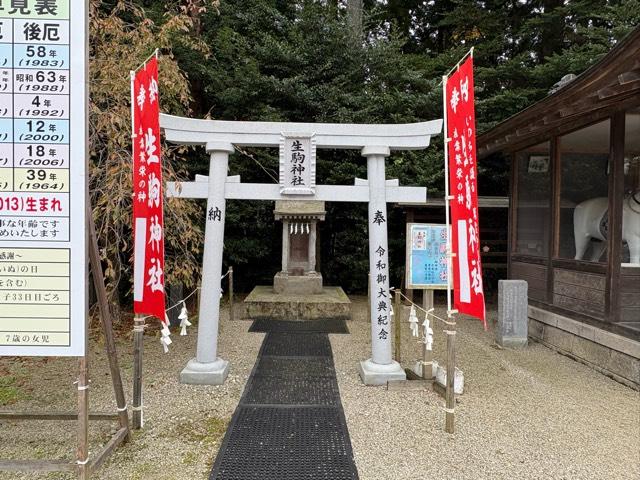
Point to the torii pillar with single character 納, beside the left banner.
(207, 368)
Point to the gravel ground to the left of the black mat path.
(184, 424)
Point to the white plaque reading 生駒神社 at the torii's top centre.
(297, 164)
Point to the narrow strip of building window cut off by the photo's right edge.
(631, 204)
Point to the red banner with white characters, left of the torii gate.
(148, 224)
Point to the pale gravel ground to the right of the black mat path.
(528, 414)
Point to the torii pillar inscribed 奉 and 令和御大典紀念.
(381, 367)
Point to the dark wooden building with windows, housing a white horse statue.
(574, 222)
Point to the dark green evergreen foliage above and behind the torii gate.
(297, 61)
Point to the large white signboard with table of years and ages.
(42, 177)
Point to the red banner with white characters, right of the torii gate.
(463, 184)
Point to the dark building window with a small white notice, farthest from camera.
(534, 200)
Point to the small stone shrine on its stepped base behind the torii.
(298, 292)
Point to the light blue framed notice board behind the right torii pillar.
(426, 256)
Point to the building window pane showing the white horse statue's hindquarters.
(584, 222)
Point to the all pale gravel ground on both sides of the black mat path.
(530, 414)
